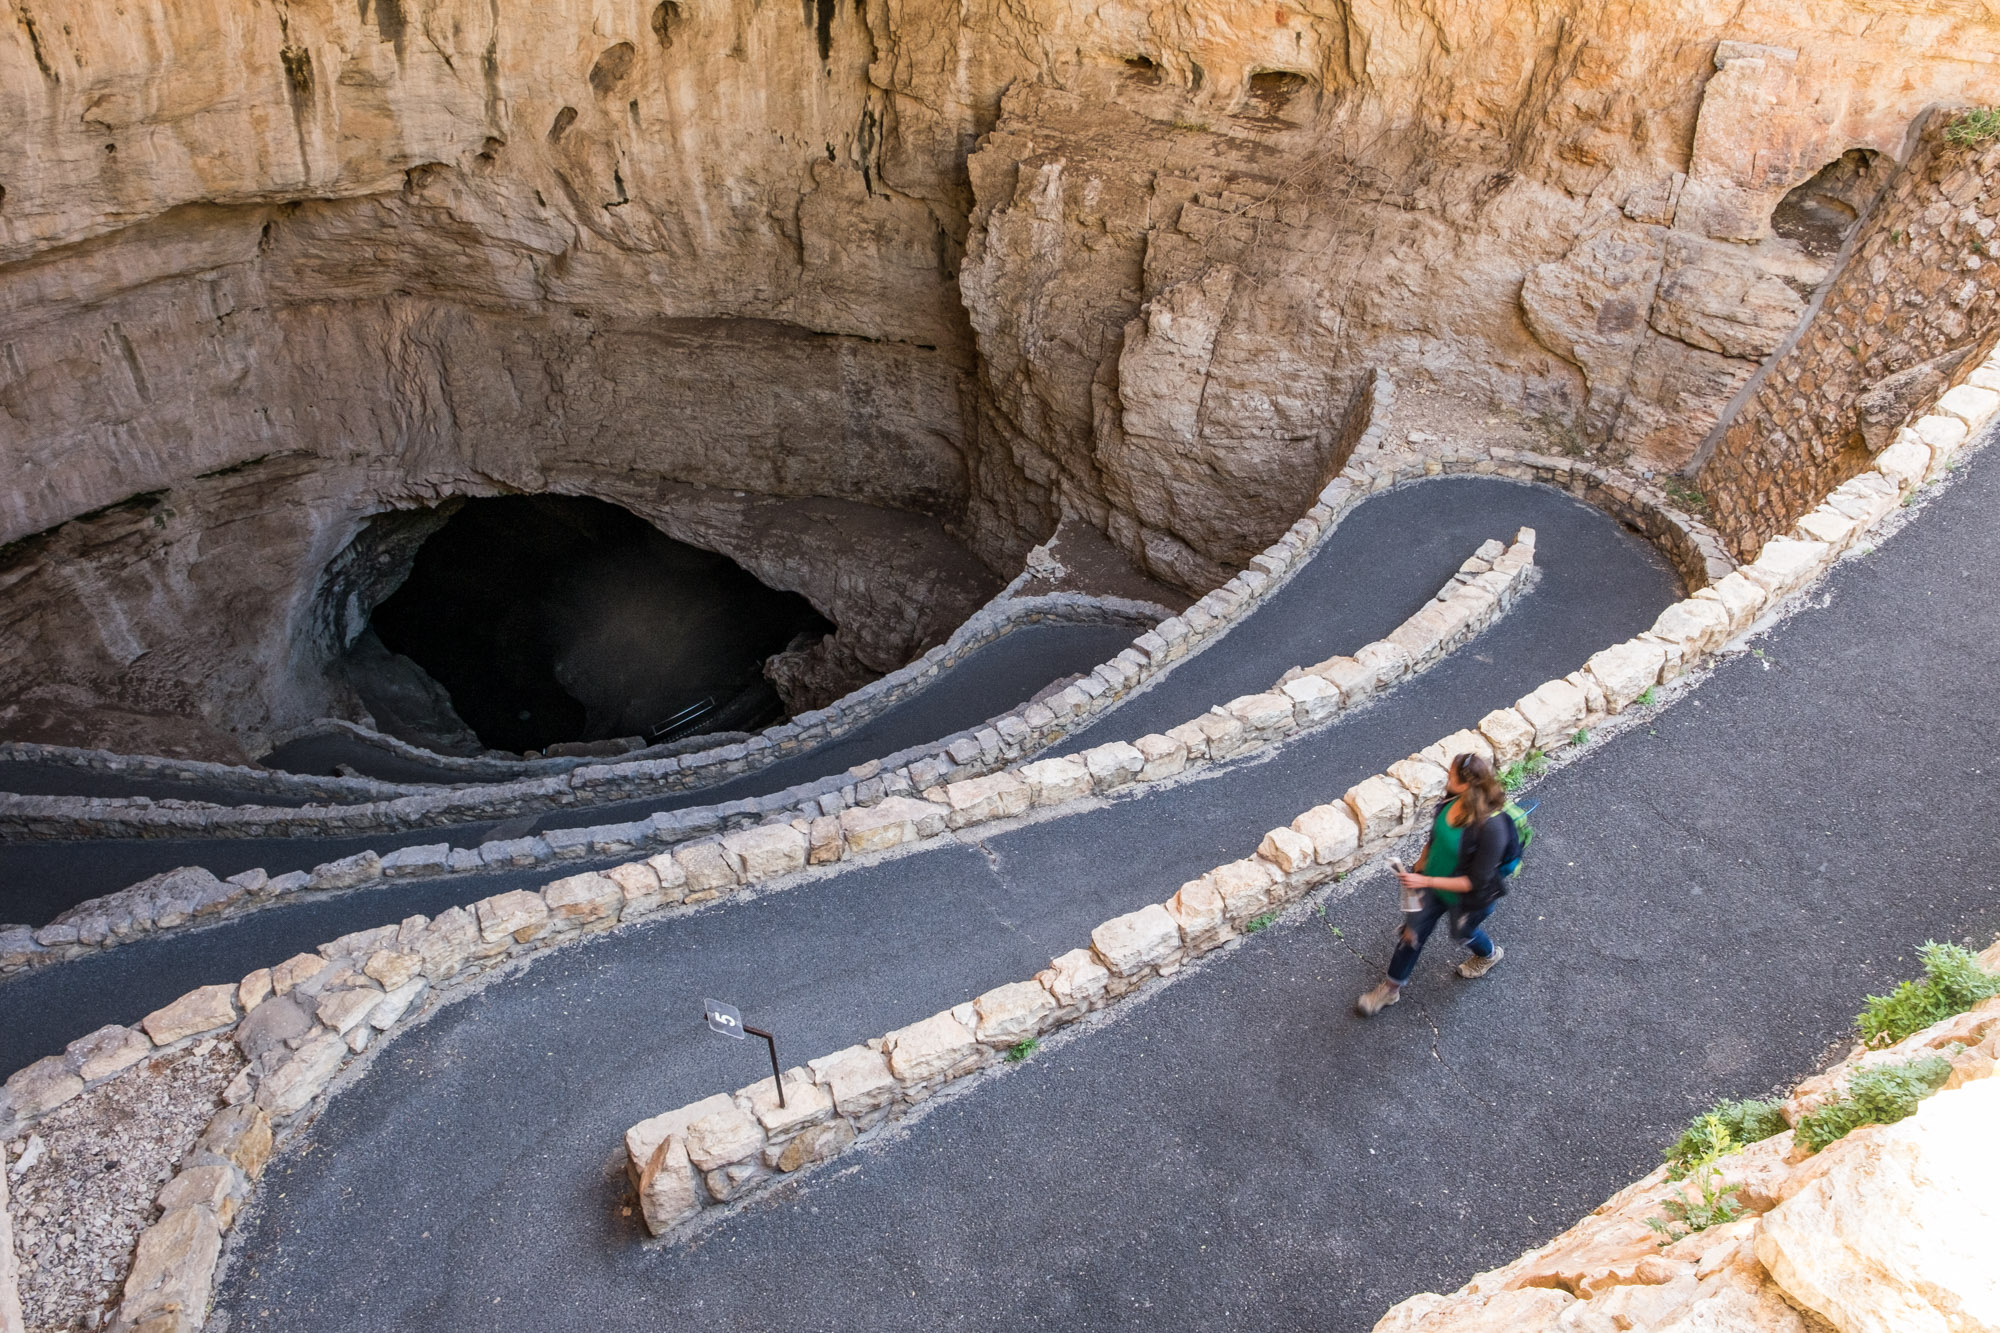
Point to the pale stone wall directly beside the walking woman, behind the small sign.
(721, 1150)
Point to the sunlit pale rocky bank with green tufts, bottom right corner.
(1889, 1228)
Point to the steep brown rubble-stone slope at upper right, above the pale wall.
(1913, 311)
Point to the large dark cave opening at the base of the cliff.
(563, 619)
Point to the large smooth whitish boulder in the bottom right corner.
(1897, 1234)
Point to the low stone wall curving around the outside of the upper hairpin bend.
(193, 896)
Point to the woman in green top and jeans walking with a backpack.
(1459, 874)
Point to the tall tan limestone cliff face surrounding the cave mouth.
(979, 265)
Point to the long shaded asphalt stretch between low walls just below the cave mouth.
(47, 878)
